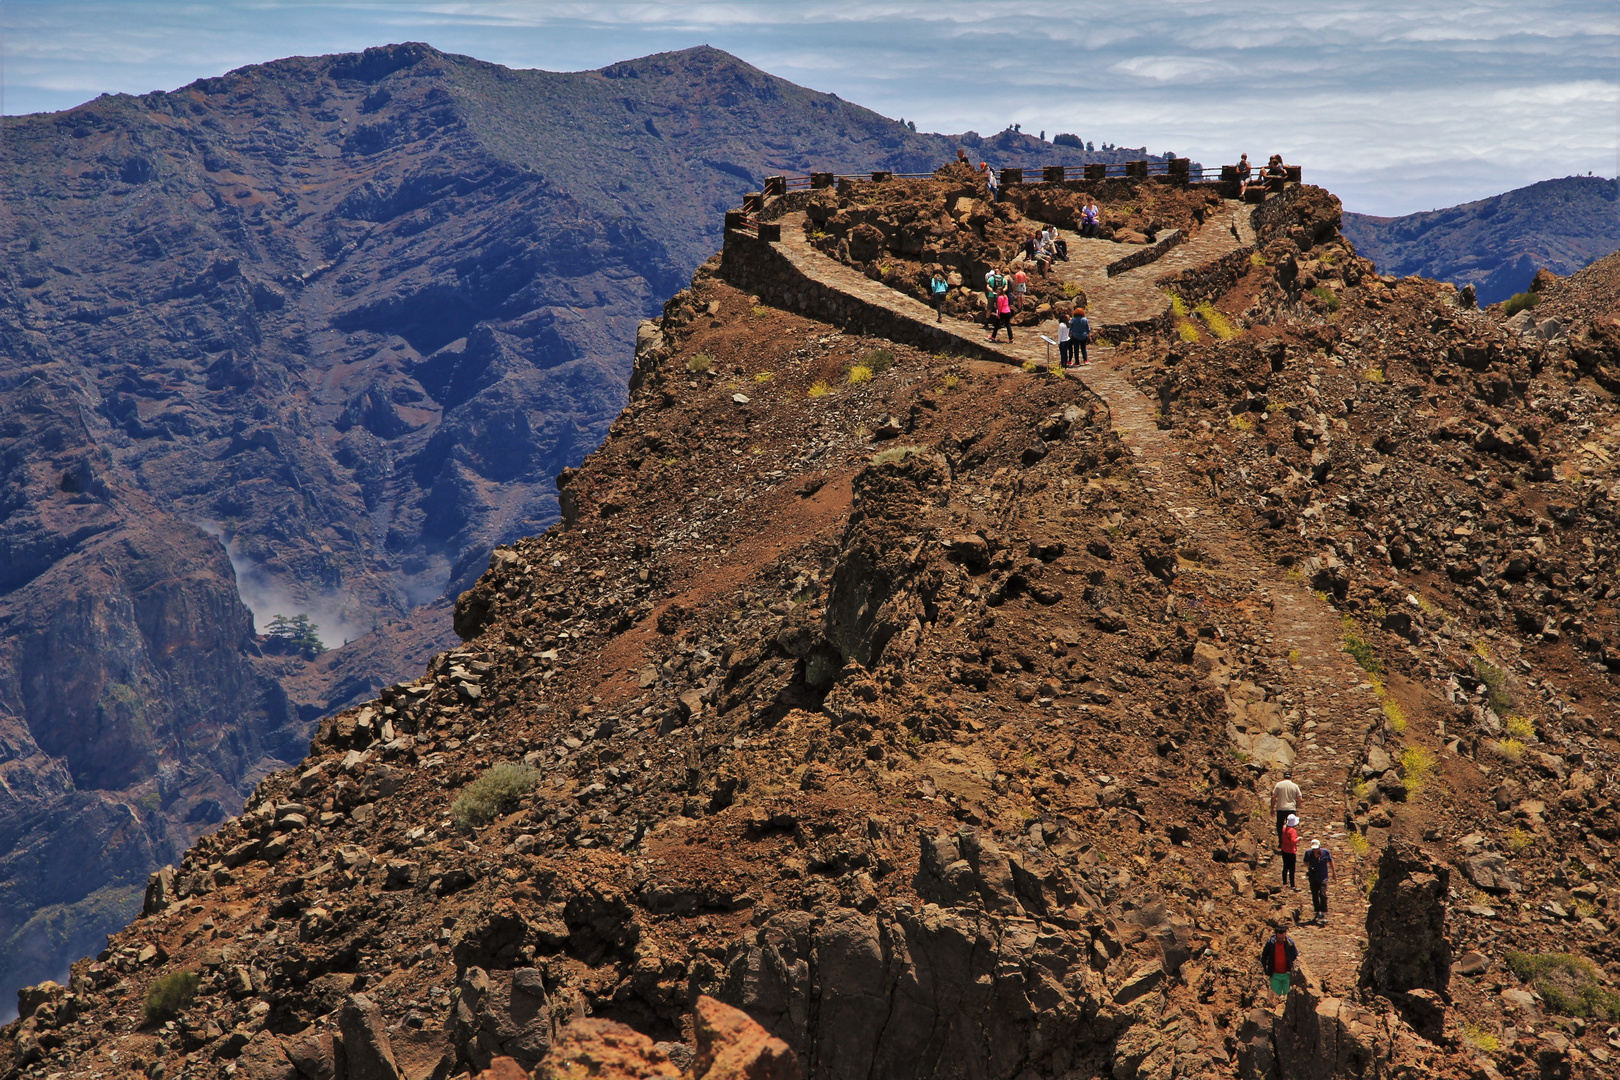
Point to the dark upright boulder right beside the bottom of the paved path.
(1407, 945)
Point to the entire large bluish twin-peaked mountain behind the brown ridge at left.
(351, 317)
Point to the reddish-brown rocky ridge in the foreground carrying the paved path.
(924, 707)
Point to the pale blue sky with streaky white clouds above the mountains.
(1396, 106)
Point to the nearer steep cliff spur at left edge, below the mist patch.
(130, 715)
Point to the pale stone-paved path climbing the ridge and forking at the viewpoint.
(1329, 704)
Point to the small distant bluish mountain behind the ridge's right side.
(1498, 244)
